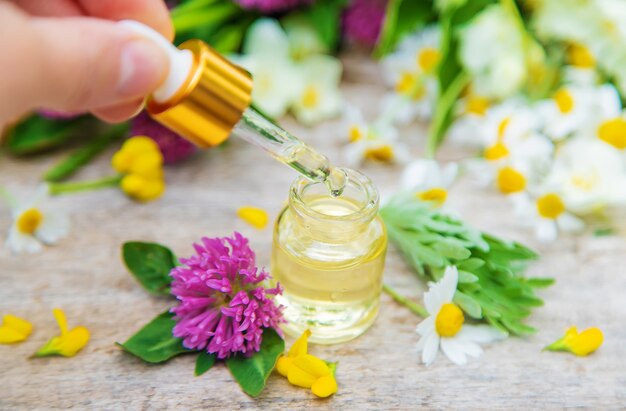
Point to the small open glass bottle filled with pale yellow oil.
(329, 255)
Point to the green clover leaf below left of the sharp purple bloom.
(155, 343)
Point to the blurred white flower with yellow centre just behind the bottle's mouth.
(376, 142)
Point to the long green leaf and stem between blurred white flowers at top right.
(451, 76)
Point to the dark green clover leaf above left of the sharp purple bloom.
(151, 264)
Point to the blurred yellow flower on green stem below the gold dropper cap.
(141, 162)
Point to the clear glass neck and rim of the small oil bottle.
(334, 219)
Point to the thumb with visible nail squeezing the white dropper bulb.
(74, 64)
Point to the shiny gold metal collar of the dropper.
(210, 102)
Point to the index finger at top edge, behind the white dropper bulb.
(151, 12)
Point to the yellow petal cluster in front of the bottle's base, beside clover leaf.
(307, 371)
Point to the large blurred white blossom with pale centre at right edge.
(589, 175)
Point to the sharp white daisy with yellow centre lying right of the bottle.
(445, 326)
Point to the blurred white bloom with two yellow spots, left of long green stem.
(411, 71)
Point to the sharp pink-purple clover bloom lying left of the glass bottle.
(224, 305)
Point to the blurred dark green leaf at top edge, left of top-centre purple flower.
(325, 17)
